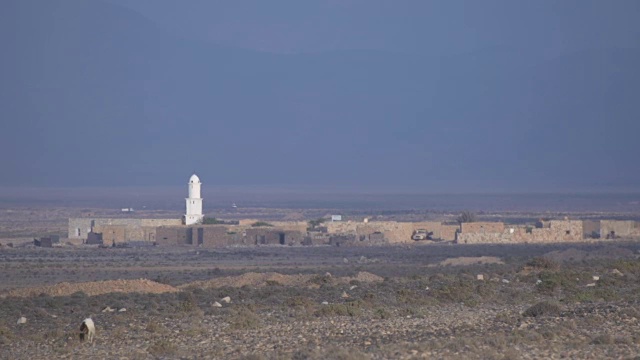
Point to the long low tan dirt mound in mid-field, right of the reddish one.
(262, 279)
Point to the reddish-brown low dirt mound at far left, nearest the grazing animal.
(95, 288)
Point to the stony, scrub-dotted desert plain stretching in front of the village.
(342, 303)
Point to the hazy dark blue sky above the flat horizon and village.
(428, 96)
